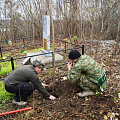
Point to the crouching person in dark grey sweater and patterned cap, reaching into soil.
(23, 80)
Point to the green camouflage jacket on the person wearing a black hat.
(91, 69)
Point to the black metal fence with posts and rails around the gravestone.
(56, 50)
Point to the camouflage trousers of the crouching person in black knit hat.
(87, 84)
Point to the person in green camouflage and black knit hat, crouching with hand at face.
(87, 73)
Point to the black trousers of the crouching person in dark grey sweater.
(22, 90)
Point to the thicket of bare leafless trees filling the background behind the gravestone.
(87, 19)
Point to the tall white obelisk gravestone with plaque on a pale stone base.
(44, 58)
